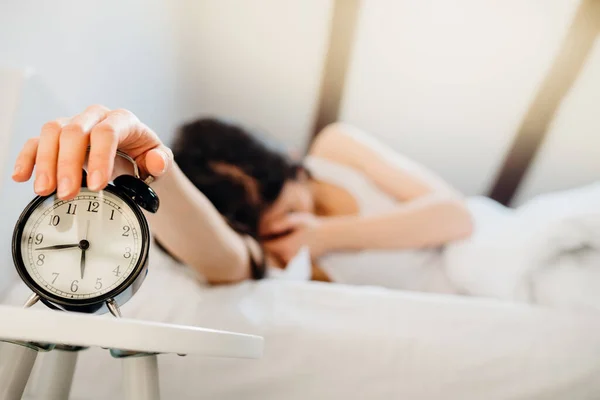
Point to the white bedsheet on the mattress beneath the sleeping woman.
(326, 341)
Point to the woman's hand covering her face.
(293, 232)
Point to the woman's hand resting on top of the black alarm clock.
(58, 154)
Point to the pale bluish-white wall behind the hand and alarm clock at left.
(122, 54)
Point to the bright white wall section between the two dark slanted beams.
(448, 82)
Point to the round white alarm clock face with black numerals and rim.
(82, 249)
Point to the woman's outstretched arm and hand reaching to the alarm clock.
(186, 223)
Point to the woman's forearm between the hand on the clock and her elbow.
(190, 227)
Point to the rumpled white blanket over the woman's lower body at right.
(546, 251)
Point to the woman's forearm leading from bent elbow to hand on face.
(425, 222)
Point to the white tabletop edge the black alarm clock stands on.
(125, 334)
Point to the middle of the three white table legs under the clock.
(56, 378)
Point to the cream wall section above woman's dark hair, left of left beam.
(257, 61)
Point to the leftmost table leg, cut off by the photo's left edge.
(15, 367)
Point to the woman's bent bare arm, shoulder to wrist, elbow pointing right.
(431, 212)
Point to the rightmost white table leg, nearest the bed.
(140, 377)
